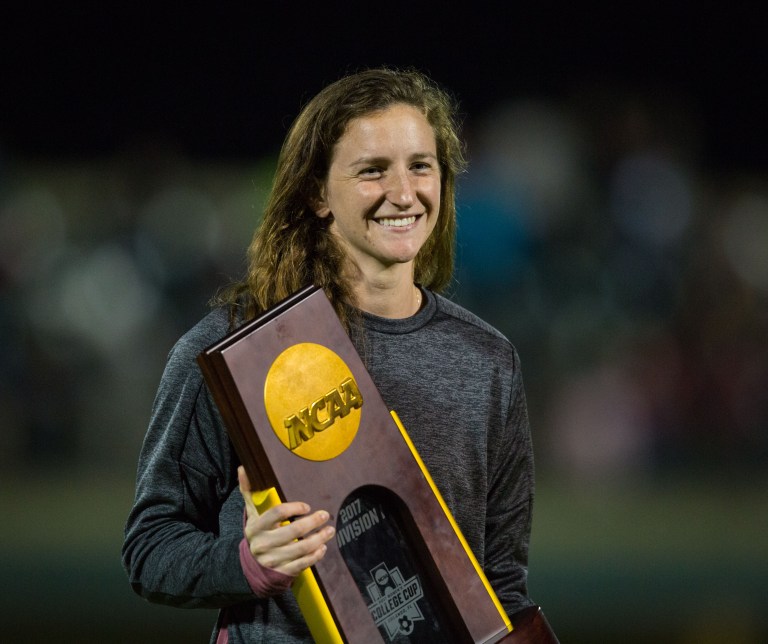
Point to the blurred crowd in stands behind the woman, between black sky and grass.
(631, 275)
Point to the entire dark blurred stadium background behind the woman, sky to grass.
(613, 223)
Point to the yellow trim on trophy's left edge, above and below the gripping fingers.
(305, 588)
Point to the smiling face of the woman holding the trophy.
(383, 188)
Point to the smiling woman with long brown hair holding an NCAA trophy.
(363, 206)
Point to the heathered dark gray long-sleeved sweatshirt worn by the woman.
(457, 386)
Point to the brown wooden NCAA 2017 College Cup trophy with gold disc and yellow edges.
(309, 425)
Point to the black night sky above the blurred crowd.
(87, 80)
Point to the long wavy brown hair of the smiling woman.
(293, 247)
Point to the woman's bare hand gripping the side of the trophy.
(288, 548)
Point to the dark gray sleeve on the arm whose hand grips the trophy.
(182, 535)
